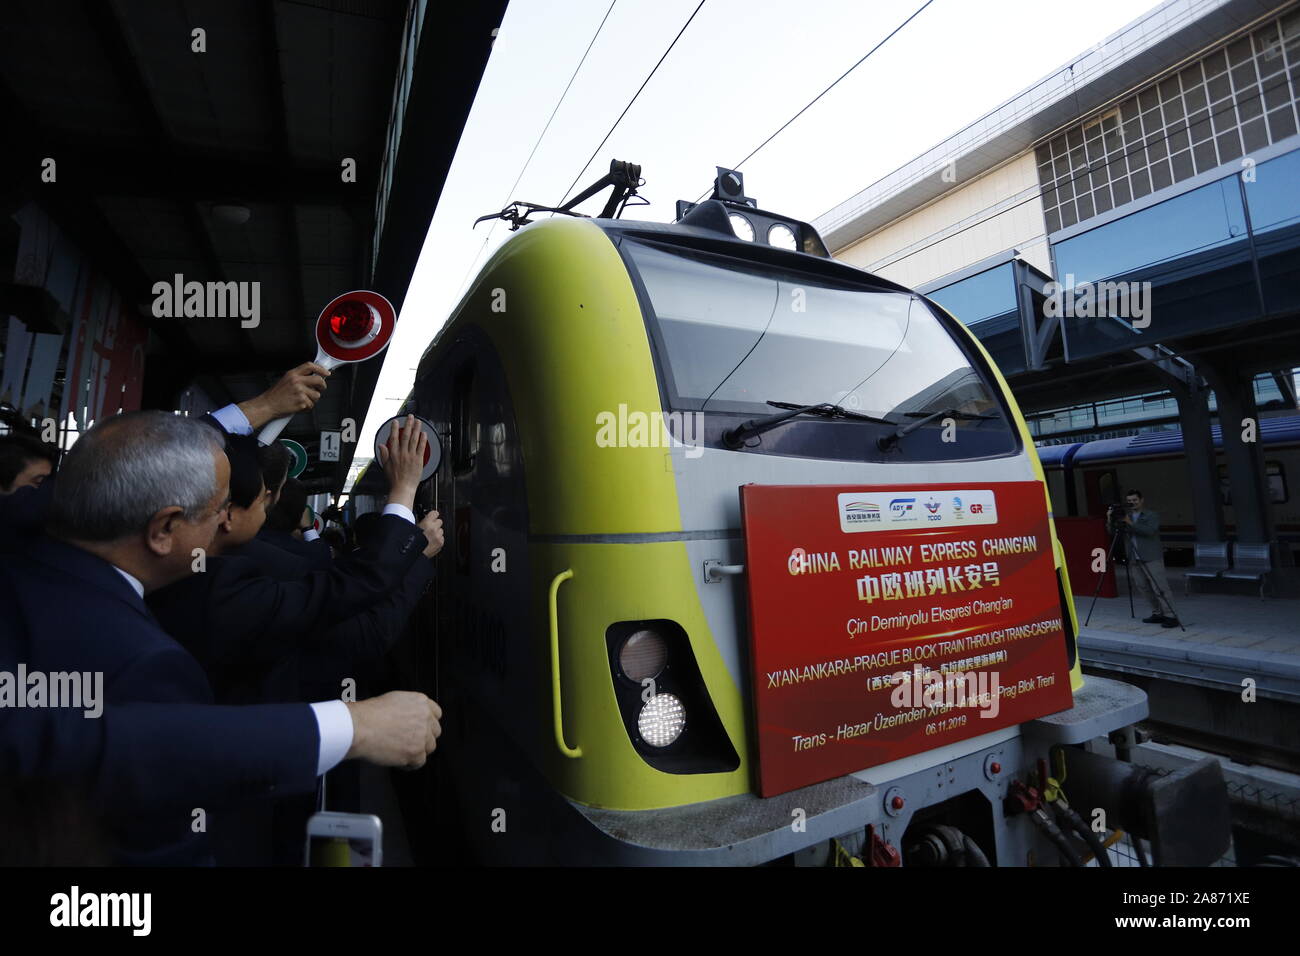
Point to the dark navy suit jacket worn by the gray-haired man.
(158, 752)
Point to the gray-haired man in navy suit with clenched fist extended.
(138, 498)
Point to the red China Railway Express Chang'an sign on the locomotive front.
(889, 620)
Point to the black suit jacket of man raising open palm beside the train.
(240, 622)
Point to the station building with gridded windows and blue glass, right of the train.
(1124, 237)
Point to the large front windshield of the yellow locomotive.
(739, 338)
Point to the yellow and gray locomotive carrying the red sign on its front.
(604, 390)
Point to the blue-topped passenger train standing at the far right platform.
(1085, 478)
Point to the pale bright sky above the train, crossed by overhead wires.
(740, 71)
